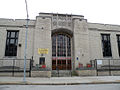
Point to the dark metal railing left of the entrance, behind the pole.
(15, 65)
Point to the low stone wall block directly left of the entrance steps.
(40, 73)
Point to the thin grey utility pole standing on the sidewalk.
(26, 33)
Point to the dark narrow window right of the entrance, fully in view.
(106, 46)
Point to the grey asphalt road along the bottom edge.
(62, 87)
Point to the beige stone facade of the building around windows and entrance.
(85, 37)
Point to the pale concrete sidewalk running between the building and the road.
(59, 80)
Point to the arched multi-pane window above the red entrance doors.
(61, 45)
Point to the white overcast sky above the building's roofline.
(96, 11)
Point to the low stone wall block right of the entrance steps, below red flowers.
(86, 72)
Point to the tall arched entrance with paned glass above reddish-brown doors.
(61, 51)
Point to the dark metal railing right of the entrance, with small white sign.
(106, 65)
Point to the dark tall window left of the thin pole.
(11, 43)
